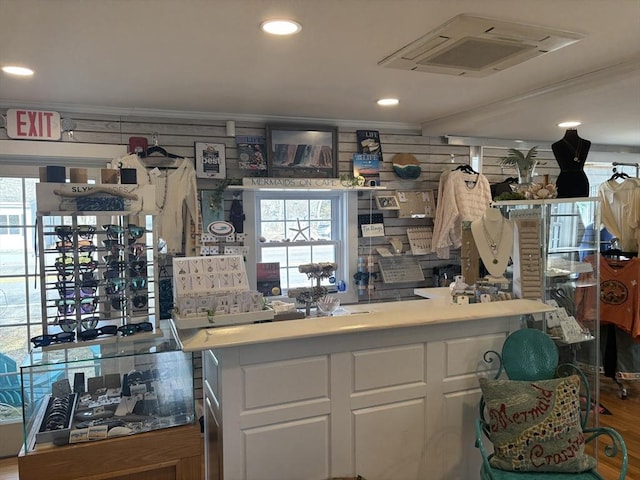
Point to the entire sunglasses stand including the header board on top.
(97, 247)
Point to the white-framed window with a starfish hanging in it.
(297, 227)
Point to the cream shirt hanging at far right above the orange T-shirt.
(620, 211)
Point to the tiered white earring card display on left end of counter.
(213, 291)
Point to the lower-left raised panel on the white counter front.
(289, 451)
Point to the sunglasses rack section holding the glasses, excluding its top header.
(98, 277)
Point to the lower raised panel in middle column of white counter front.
(389, 441)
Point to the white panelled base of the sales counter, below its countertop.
(394, 403)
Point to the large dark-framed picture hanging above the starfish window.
(297, 151)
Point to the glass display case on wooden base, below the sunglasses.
(106, 390)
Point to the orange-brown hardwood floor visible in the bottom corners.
(624, 417)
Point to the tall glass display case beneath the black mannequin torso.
(556, 259)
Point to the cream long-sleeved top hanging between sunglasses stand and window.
(176, 200)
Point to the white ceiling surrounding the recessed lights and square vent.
(208, 57)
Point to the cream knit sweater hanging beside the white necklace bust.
(459, 200)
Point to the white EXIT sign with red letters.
(26, 124)
